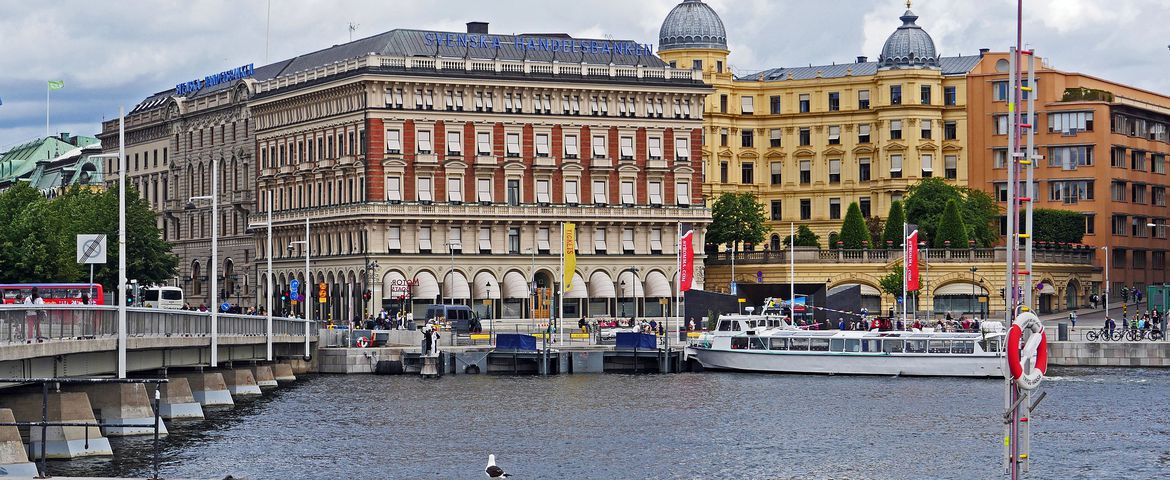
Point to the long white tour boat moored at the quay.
(769, 344)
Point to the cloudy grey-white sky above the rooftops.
(116, 53)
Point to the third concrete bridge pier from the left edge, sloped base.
(127, 404)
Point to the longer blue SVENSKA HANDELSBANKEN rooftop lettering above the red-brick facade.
(536, 44)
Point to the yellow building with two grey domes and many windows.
(810, 141)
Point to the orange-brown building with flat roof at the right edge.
(1104, 149)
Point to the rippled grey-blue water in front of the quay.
(1095, 424)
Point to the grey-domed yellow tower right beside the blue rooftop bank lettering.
(693, 37)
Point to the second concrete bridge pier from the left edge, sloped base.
(63, 442)
